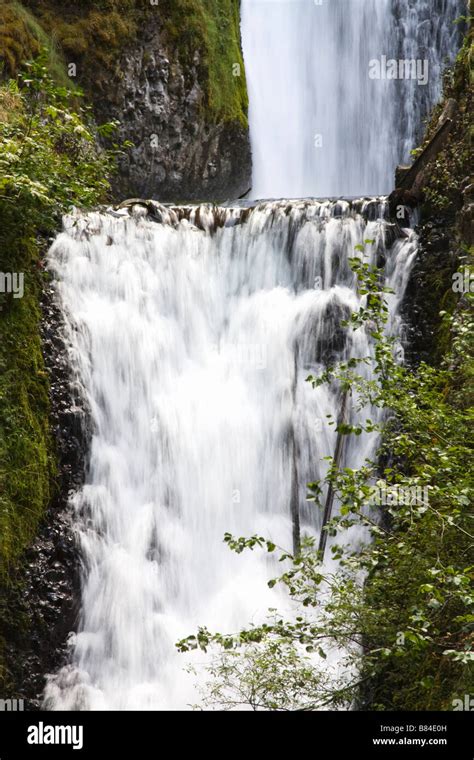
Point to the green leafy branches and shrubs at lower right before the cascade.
(400, 607)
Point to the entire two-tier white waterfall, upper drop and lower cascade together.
(192, 329)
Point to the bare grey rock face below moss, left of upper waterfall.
(178, 153)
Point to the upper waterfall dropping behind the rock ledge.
(319, 125)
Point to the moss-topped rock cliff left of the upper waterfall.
(171, 72)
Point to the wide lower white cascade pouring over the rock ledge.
(192, 338)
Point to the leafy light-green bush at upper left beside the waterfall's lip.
(48, 156)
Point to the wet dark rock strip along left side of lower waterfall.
(43, 603)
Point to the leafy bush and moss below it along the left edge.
(48, 162)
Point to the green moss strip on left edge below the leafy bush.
(26, 451)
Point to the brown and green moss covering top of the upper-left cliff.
(94, 36)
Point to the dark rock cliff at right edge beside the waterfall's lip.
(445, 229)
